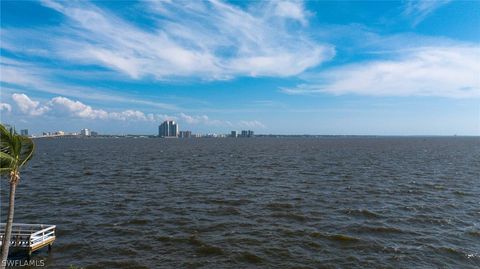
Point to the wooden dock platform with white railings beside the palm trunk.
(29, 237)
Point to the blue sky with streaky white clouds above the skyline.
(280, 67)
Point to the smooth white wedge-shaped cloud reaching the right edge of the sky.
(448, 71)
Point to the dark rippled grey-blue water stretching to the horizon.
(256, 203)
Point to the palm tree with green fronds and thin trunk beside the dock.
(15, 152)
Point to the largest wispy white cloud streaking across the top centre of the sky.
(204, 39)
